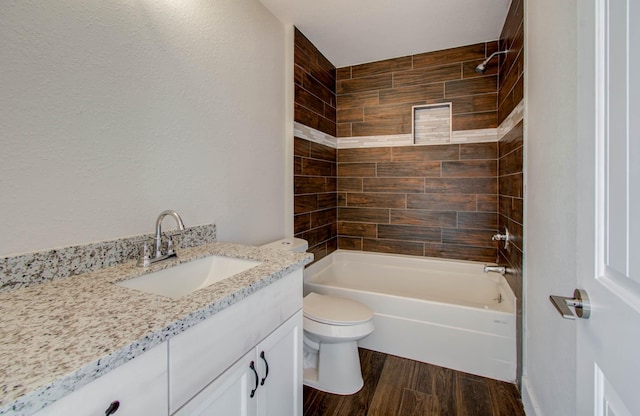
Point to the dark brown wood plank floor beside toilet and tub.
(395, 386)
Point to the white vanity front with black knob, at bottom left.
(140, 386)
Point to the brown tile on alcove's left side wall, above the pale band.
(315, 86)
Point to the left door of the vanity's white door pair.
(229, 394)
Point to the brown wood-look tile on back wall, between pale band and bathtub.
(435, 201)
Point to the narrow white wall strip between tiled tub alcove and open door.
(551, 143)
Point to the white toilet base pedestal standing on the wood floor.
(338, 370)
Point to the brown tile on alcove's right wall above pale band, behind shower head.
(511, 89)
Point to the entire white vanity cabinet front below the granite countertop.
(206, 370)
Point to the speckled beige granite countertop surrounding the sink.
(57, 336)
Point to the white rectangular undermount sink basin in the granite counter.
(186, 278)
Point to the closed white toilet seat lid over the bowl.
(335, 310)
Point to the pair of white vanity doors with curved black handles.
(265, 381)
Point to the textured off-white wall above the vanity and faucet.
(112, 111)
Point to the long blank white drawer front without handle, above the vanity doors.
(203, 352)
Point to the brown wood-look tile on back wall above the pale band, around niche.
(376, 98)
